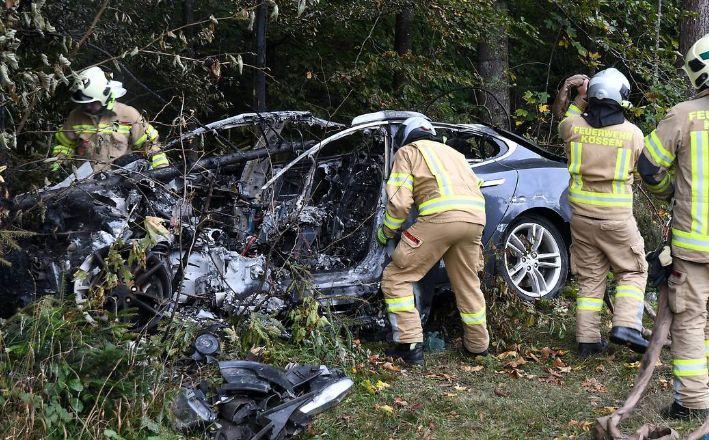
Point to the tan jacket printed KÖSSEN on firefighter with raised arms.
(601, 164)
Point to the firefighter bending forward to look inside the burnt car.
(451, 217)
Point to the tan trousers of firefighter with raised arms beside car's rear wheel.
(597, 247)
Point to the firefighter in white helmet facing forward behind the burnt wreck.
(100, 129)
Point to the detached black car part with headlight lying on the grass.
(258, 401)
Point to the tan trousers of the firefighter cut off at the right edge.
(688, 295)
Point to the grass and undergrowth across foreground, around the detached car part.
(61, 378)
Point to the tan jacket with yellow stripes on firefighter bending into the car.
(438, 180)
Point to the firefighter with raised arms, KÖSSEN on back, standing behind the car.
(603, 149)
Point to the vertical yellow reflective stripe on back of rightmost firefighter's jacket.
(699, 147)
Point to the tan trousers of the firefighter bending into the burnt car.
(420, 248)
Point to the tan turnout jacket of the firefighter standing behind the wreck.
(107, 136)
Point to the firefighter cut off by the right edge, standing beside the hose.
(675, 163)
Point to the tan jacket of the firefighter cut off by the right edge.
(678, 155)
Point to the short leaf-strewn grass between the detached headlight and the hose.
(537, 388)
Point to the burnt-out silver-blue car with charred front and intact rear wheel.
(296, 200)
